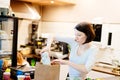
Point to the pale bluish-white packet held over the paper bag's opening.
(45, 59)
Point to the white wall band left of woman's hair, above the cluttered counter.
(58, 27)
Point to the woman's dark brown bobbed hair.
(86, 28)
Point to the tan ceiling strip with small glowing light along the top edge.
(50, 2)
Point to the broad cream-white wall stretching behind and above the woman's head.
(57, 19)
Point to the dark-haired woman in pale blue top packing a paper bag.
(82, 53)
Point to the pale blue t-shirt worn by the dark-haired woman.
(87, 58)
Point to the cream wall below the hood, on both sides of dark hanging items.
(24, 31)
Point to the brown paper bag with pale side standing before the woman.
(50, 72)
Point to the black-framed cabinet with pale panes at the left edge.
(8, 37)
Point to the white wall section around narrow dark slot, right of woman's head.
(114, 29)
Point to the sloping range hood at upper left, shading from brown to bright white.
(24, 10)
